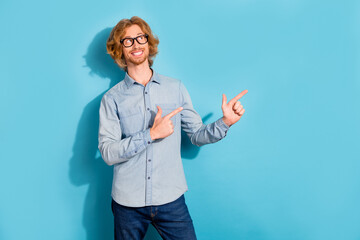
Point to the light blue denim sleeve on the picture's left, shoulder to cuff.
(112, 147)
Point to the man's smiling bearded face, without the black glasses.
(137, 53)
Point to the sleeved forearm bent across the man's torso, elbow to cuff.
(117, 151)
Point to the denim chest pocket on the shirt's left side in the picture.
(131, 121)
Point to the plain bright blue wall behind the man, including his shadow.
(289, 169)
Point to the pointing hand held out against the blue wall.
(233, 110)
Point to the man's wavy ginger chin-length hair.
(114, 47)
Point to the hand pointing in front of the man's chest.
(163, 126)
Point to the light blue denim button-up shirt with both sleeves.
(148, 172)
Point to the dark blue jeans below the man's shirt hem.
(171, 220)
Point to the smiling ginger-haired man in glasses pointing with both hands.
(139, 133)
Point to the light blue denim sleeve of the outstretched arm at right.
(191, 122)
